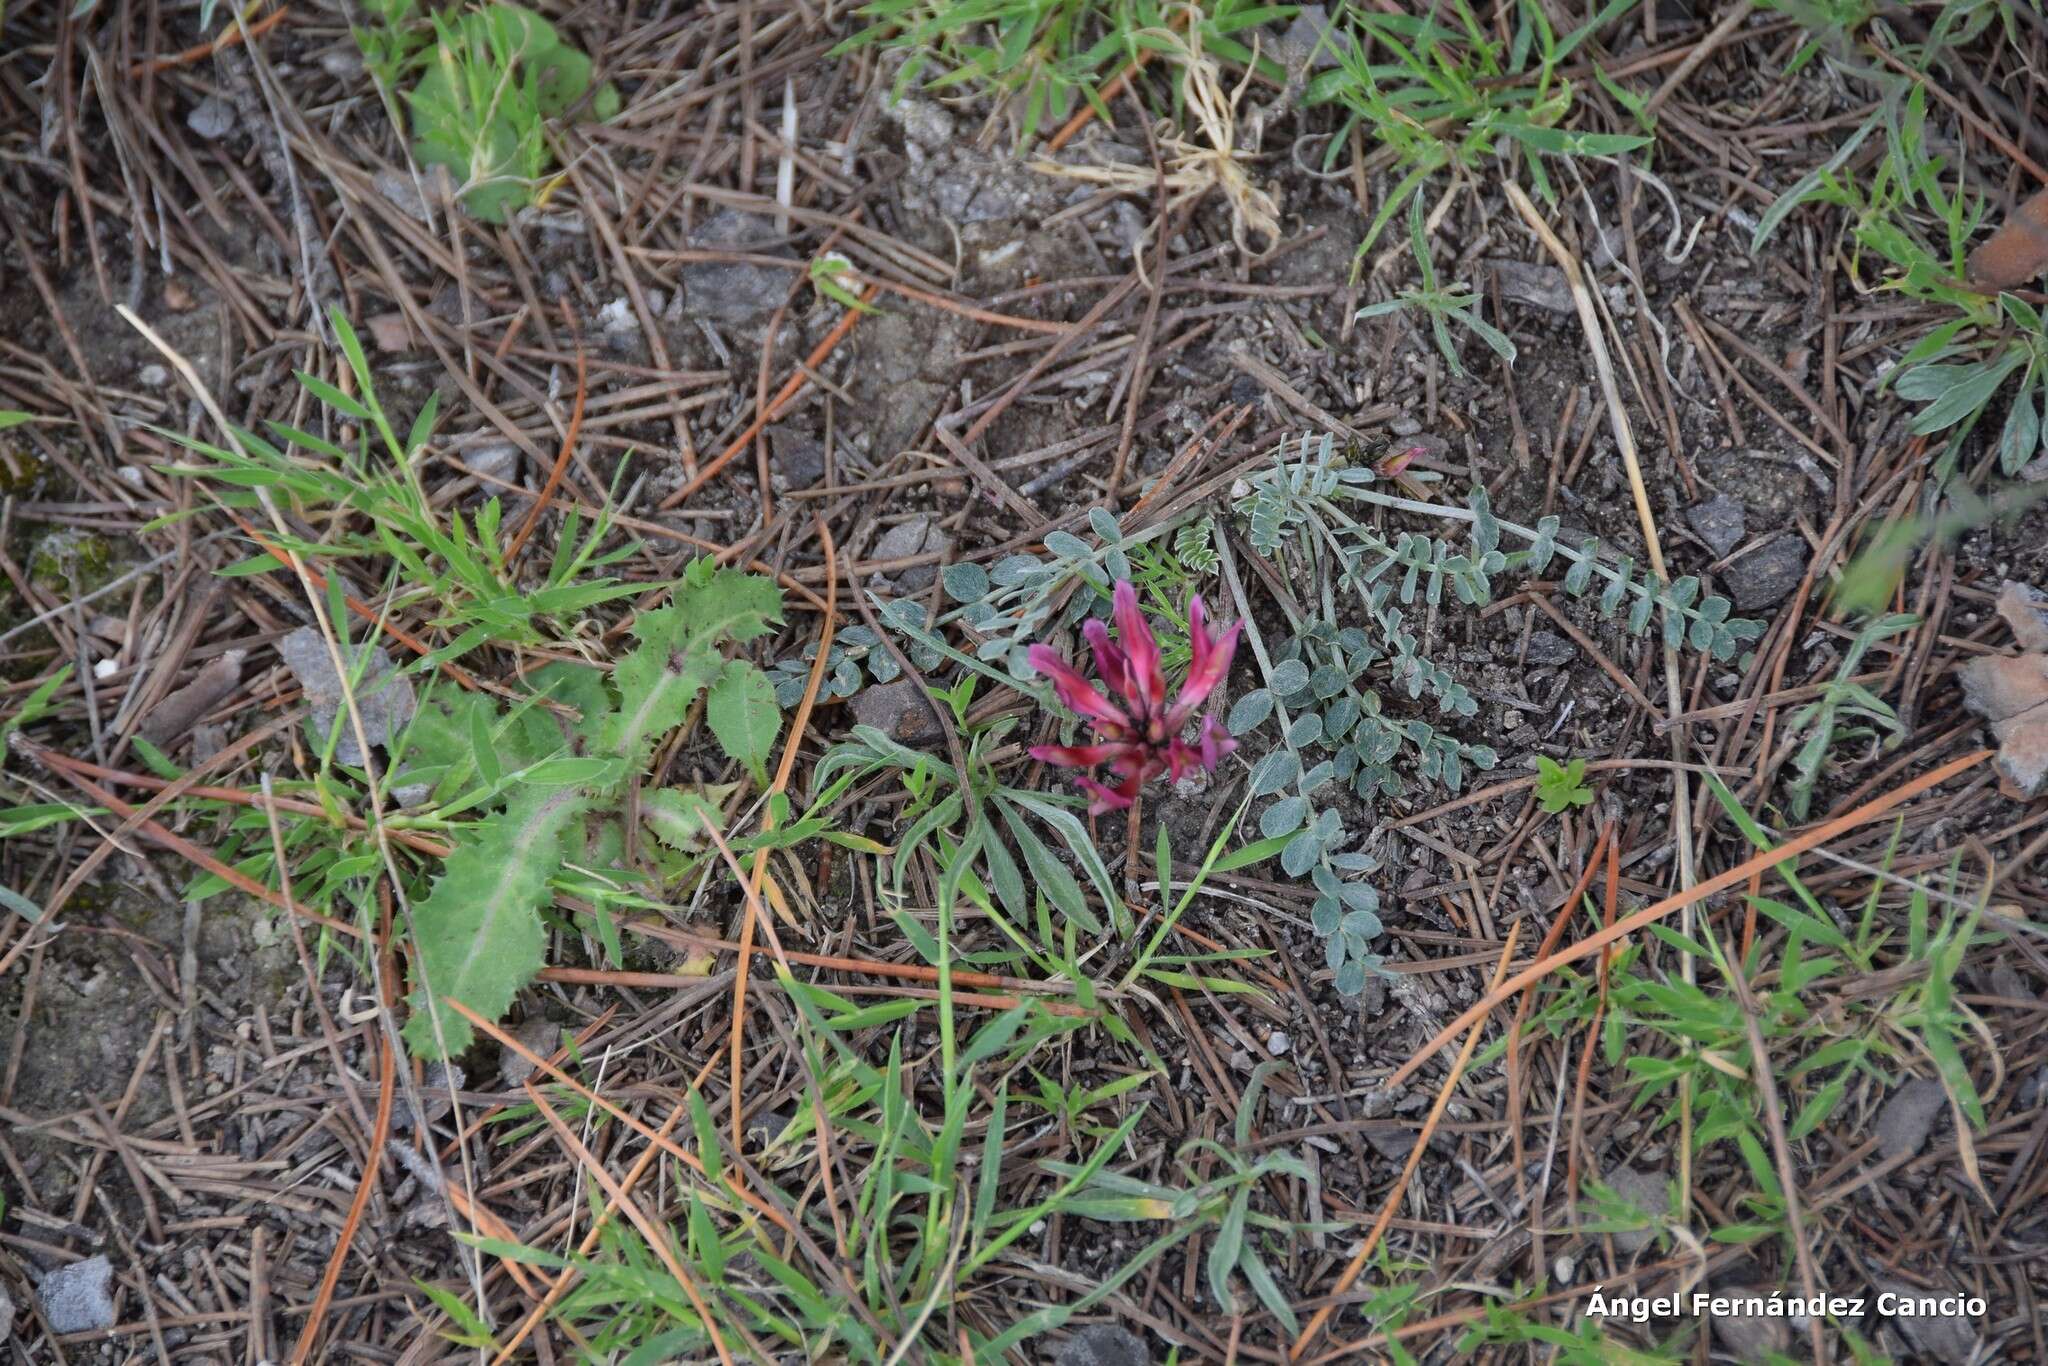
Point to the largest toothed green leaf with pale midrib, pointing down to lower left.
(478, 935)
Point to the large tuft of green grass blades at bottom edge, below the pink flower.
(927, 1138)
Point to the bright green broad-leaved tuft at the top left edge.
(484, 83)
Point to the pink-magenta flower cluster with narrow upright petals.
(1138, 734)
